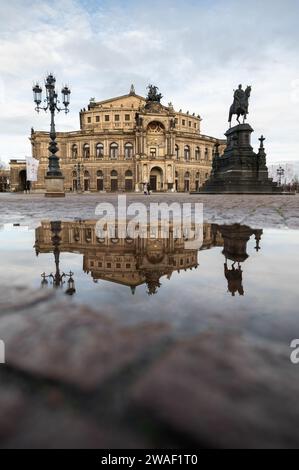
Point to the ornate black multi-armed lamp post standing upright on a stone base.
(54, 179)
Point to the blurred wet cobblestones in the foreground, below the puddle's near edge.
(74, 378)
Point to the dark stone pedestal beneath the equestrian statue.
(240, 170)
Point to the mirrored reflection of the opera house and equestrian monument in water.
(132, 262)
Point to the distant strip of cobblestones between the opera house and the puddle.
(253, 210)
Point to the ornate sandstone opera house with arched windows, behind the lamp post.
(127, 141)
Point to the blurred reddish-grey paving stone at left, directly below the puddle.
(73, 344)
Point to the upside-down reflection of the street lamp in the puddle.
(57, 279)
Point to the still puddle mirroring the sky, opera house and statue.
(239, 273)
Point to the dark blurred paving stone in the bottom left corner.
(34, 421)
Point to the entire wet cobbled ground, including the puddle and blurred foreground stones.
(130, 344)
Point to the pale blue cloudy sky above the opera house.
(196, 51)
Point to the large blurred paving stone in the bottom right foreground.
(223, 390)
